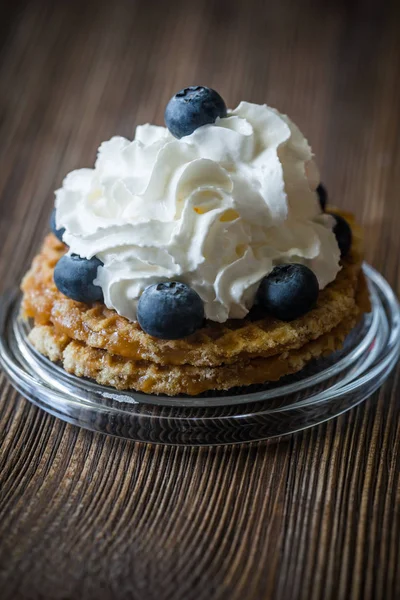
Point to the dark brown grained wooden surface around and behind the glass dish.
(313, 516)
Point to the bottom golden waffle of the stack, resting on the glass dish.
(124, 373)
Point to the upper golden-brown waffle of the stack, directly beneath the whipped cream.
(215, 344)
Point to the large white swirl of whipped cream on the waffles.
(217, 209)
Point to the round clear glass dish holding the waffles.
(324, 389)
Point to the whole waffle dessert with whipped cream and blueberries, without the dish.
(199, 256)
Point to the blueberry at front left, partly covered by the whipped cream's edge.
(74, 277)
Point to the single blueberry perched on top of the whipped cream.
(191, 108)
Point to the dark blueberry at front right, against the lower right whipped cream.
(289, 291)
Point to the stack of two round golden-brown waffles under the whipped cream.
(94, 341)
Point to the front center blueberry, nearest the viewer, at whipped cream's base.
(170, 310)
